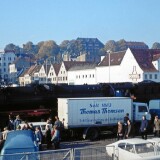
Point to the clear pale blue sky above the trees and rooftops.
(41, 20)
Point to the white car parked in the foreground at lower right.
(132, 149)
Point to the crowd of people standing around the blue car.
(51, 136)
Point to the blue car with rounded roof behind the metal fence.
(19, 141)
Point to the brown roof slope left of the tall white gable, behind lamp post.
(115, 59)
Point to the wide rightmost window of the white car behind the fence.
(144, 148)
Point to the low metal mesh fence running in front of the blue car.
(85, 153)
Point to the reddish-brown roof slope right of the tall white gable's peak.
(144, 59)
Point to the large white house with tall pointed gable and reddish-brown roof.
(126, 66)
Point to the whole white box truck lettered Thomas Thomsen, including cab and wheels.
(93, 116)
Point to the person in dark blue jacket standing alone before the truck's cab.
(143, 127)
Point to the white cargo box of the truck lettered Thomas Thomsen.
(83, 112)
